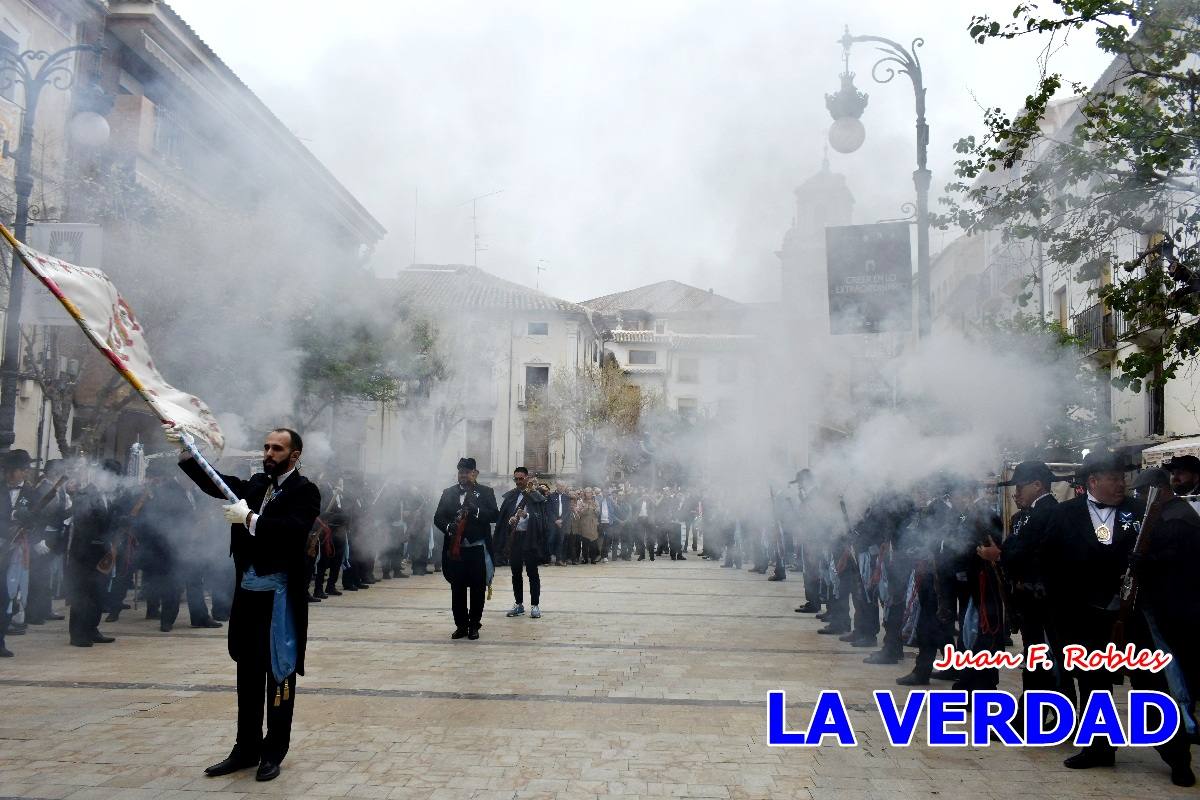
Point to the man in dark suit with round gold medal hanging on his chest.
(1087, 552)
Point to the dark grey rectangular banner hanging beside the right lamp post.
(871, 279)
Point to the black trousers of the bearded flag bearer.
(257, 687)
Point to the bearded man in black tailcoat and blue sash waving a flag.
(269, 619)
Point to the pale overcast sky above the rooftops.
(634, 142)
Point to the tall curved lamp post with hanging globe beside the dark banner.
(848, 135)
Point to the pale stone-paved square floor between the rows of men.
(641, 679)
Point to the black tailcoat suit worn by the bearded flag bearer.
(278, 546)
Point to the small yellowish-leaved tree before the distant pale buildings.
(597, 405)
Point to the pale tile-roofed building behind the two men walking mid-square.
(502, 342)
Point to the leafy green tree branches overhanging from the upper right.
(1113, 196)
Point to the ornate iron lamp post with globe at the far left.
(34, 70)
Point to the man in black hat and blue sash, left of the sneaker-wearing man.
(467, 562)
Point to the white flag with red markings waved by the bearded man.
(107, 320)
